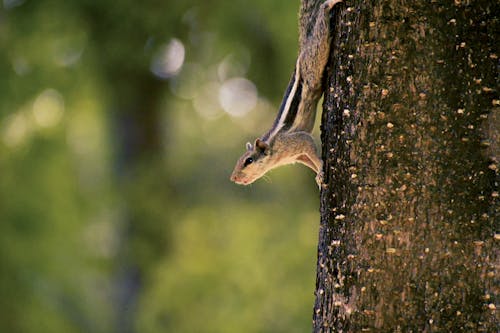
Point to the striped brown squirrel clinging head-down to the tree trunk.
(289, 140)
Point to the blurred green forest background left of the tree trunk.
(120, 122)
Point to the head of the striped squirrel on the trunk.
(252, 164)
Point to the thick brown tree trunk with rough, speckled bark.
(410, 125)
